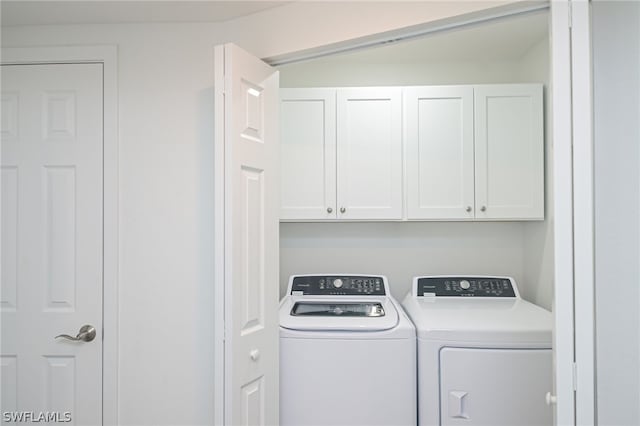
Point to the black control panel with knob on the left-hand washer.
(332, 285)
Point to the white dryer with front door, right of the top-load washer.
(484, 354)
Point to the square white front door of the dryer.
(498, 387)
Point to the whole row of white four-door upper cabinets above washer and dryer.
(470, 153)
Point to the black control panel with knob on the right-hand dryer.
(466, 286)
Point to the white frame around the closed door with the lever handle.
(107, 56)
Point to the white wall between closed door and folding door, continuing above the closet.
(165, 74)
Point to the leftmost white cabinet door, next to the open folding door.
(308, 154)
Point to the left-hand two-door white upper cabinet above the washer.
(341, 154)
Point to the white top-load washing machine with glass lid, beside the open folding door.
(347, 353)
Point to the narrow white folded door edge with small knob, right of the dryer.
(563, 304)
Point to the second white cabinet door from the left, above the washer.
(369, 153)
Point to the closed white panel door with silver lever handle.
(52, 139)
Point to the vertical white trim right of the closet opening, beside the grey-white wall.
(583, 214)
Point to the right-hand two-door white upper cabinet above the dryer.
(475, 152)
